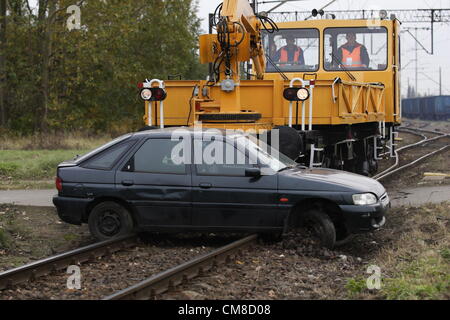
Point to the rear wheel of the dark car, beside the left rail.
(110, 220)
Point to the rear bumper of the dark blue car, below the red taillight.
(71, 210)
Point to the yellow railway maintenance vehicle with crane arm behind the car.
(331, 107)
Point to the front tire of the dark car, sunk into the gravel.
(322, 226)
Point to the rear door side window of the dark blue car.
(155, 156)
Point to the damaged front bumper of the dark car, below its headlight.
(360, 219)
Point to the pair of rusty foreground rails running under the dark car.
(147, 289)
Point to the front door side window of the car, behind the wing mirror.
(225, 164)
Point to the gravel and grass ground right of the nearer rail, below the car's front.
(412, 252)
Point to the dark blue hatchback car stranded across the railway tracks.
(150, 181)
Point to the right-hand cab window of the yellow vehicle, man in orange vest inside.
(363, 49)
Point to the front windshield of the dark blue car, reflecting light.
(271, 159)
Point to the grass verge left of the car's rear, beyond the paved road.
(31, 162)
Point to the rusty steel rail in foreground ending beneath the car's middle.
(162, 282)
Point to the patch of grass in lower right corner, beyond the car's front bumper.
(416, 265)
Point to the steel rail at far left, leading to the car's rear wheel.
(46, 266)
